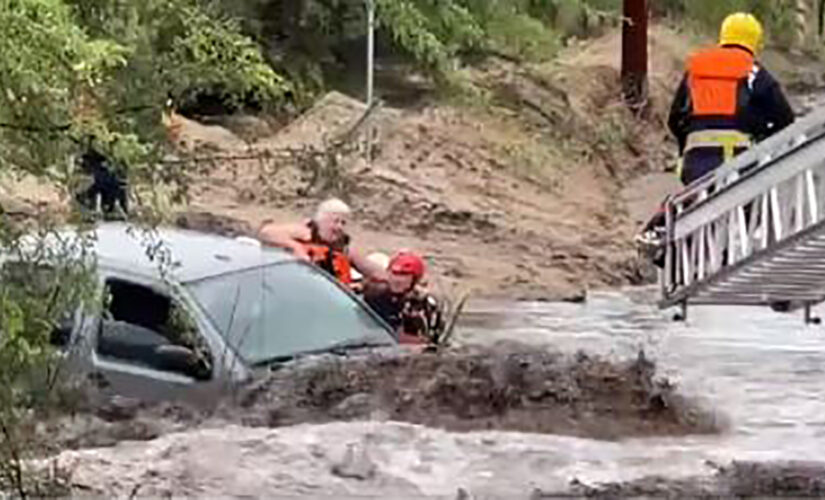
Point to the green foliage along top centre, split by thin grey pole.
(435, 34)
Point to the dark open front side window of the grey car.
(143, 327)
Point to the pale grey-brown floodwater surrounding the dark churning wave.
(759, 372)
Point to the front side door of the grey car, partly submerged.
(148, 345)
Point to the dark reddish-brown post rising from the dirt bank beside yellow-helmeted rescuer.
(634, 54)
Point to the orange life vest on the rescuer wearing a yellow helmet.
(715, 77)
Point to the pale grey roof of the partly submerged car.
(194, 255)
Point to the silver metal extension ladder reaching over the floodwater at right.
(753, 231)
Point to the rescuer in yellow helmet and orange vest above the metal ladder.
(725, 103)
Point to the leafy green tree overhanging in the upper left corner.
(106, 67)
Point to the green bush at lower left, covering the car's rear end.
(48, 282)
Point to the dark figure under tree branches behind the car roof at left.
(106, 186)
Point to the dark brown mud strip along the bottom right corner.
(739, 479)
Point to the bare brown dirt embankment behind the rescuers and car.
(518, 197)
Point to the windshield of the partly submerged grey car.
(285, 309)
